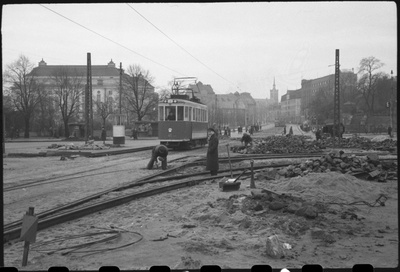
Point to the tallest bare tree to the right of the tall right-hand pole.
(367, 83)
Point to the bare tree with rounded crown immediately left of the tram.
(140, 97)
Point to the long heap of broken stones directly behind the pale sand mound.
(369, 167)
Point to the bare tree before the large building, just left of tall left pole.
(68, 87)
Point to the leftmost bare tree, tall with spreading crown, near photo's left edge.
(25, 91)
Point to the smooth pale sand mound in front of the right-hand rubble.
(329, 187)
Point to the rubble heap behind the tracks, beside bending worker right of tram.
(280, 145)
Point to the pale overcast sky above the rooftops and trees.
(231, 46)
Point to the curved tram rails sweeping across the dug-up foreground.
(89, 205)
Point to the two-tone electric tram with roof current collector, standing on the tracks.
(182, 120)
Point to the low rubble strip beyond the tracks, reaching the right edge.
(359, 142)
